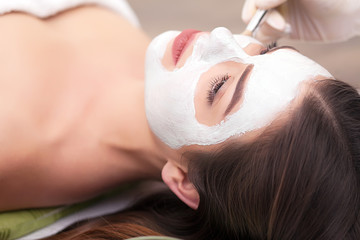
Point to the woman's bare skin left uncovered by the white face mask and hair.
(72, 114)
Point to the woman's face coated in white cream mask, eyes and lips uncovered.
(203, 88)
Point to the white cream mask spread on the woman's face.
(169, 95)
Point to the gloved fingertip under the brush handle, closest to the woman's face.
(273, 28)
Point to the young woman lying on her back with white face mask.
(255, 142)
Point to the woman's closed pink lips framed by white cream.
(181, 42)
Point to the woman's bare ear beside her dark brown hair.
(177, 180)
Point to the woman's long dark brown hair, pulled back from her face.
(298, 180)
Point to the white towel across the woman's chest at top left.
(46, 8)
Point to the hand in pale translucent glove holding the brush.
(317, 20)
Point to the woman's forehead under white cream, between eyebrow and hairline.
(274, 82)
